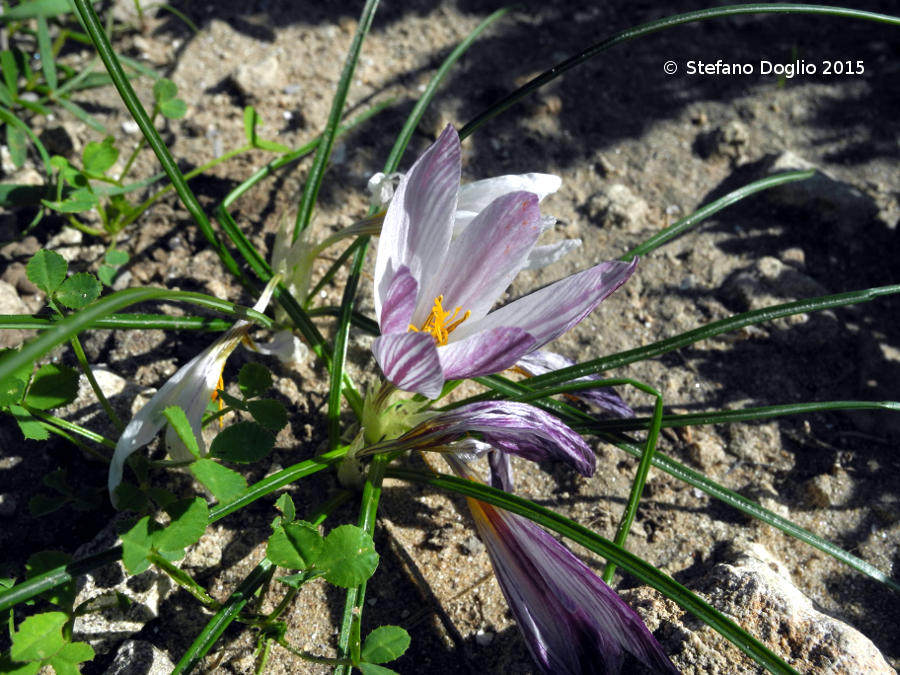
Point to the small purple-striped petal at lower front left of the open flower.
(410, 361)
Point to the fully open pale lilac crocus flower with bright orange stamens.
(433, 293)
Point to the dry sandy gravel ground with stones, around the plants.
(637, 149)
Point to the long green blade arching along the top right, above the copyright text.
(662, 24)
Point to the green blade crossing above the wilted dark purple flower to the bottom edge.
(639, 568)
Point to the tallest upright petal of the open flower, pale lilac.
(419, 221)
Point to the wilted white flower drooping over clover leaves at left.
(191, 389)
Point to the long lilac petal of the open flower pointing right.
(551, 311)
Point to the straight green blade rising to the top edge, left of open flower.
(323, 151)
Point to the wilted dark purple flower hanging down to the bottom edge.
(571, 620)
